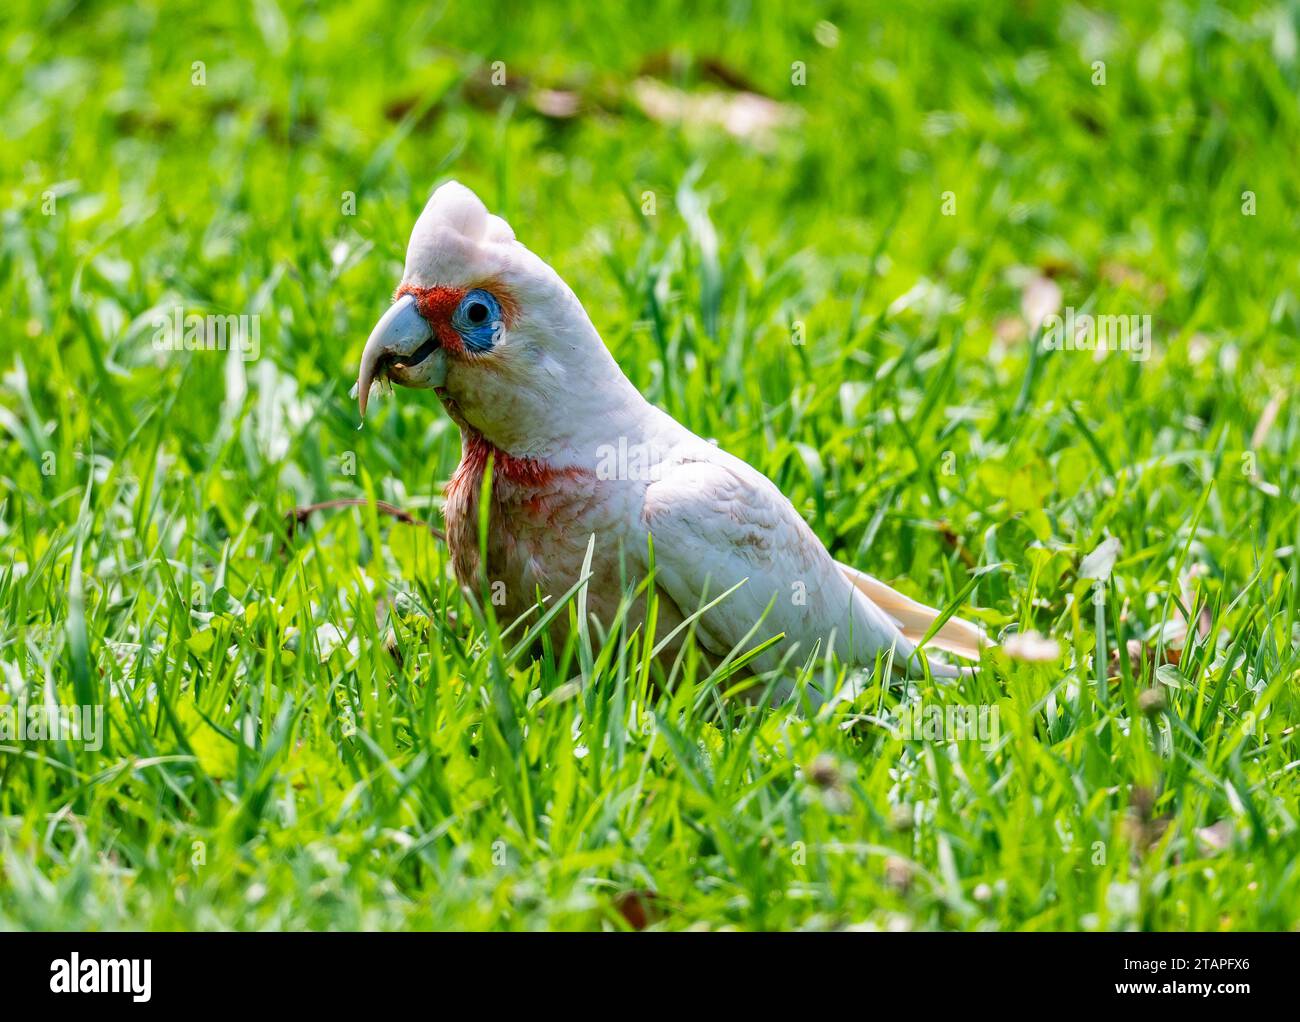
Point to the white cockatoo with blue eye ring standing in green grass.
(578, 452)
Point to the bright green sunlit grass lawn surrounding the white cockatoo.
(270, 764)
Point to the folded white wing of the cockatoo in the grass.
(717, 522)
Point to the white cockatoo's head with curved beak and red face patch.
(493, 330)
